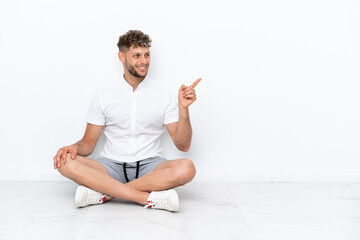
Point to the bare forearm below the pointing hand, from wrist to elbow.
(184, 131)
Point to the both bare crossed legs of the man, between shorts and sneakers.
(92, 174)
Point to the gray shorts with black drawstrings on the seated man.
(126, 172)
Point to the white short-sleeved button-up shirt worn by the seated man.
(133, 120)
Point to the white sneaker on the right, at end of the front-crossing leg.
(167, 199)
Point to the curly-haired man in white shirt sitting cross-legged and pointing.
(132, 112)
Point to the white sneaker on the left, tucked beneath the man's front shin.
(85, 196)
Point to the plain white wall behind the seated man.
(279, 100)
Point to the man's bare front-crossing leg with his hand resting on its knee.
(95, 176)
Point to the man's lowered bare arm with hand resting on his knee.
(84, 147)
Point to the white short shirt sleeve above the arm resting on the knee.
(96, 114)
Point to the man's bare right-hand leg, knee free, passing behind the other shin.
(170, 174)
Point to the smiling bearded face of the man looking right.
(137, 61)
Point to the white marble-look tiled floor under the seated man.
(260, 211)
